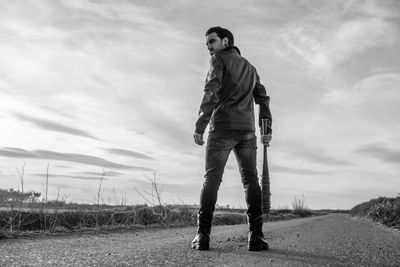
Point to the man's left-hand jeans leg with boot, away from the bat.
(217, 153)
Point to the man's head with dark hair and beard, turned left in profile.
(218, 38)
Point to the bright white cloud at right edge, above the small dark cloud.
(372, 103)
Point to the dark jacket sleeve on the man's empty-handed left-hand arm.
(210, 99)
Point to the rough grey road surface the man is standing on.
(334, 240)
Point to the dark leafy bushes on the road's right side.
(384, 210)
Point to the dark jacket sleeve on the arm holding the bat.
(261, 98)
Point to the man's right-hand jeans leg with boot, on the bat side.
(246, 155)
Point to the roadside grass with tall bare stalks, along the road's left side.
(33, 213)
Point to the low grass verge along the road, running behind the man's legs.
(53, 220)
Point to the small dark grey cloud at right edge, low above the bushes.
(380, 151)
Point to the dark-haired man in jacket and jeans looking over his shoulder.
(232, 86)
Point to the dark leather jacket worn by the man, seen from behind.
(232, 86)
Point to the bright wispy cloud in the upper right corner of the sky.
(329, 35)
